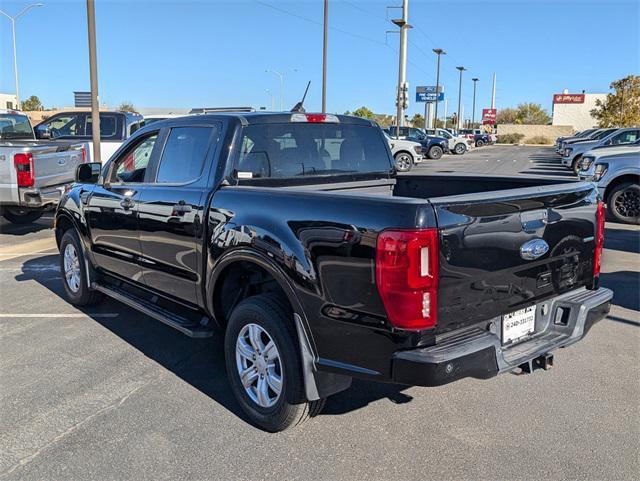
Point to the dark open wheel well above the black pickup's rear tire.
(238, 281)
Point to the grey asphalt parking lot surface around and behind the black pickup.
(109, 393)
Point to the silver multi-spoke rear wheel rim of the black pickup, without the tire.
(259, 365)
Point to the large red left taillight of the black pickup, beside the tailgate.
(407, 277)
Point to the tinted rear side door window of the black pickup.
(184, 154)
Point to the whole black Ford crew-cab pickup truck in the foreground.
(292, 233)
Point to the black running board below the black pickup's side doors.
(204, 328)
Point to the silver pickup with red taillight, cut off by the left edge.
(33, 174)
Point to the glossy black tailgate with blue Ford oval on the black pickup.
(489, 264)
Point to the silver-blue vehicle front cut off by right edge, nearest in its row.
(616, 170)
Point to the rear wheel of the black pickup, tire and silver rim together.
(267, 318)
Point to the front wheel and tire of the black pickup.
(74, 274)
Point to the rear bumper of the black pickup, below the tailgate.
(478, 352)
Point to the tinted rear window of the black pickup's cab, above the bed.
(307, 149)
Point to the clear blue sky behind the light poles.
(214, 53)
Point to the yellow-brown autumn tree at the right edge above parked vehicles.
(622, 107)
